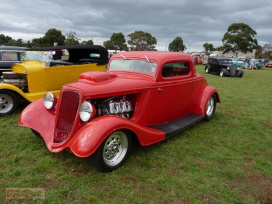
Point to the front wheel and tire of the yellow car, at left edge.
(8, 102)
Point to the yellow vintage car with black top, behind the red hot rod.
(39, 73)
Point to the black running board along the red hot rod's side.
(175, 126)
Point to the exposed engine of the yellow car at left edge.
(15, 79)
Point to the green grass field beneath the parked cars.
(226, 160)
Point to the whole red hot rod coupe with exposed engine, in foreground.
(146, 95)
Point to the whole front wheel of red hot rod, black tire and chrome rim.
(113, 152)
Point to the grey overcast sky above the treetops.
(195, 21)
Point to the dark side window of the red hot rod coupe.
(175, 69)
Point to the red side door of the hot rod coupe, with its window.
(172, 96)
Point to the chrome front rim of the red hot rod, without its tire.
(115, 148)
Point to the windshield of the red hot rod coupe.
(133, 65)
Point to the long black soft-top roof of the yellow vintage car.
(77, 52)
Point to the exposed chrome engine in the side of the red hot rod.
(118, 105)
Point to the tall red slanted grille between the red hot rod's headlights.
(66, 116)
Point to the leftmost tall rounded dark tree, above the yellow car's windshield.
(51, 36)
